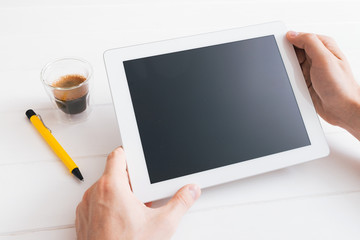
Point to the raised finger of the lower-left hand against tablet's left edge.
(116, 164)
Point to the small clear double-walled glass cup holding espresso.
(67, 82)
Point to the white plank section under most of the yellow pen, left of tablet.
(21, 143)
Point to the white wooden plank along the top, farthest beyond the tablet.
(51, 19)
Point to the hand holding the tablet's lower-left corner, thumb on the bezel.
(109, 209)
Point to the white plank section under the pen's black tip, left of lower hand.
(43, 194)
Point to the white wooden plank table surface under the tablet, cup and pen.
(315, 200)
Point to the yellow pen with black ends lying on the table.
(56, 147)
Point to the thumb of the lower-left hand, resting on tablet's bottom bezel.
(181, 202)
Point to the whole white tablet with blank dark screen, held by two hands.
(212, 108)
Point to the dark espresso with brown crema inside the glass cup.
(71, 93)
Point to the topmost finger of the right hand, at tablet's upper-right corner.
(312, 45)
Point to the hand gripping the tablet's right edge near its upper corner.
(333, 89)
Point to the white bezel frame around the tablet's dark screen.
(138, 173)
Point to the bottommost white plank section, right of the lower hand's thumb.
(329, 217)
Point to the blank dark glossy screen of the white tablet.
(213, 106)
